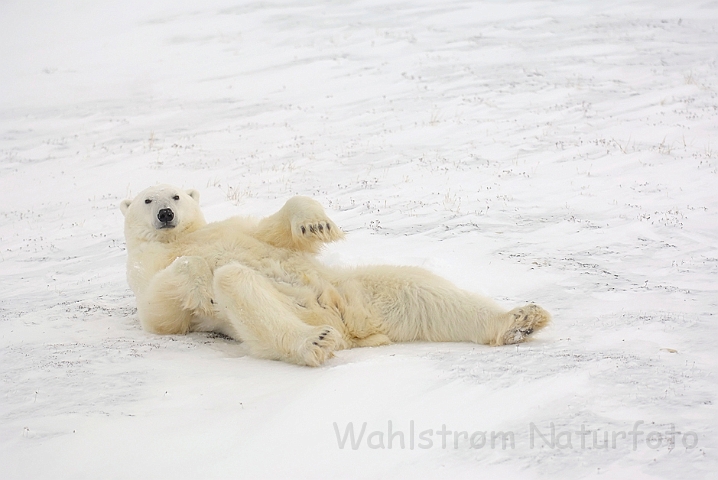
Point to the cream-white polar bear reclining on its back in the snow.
(259, 281)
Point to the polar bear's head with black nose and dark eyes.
(162, 213)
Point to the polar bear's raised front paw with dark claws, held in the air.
(301, 224)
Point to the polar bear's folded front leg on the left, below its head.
(175, 295)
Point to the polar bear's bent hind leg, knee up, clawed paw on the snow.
(263, 319)
